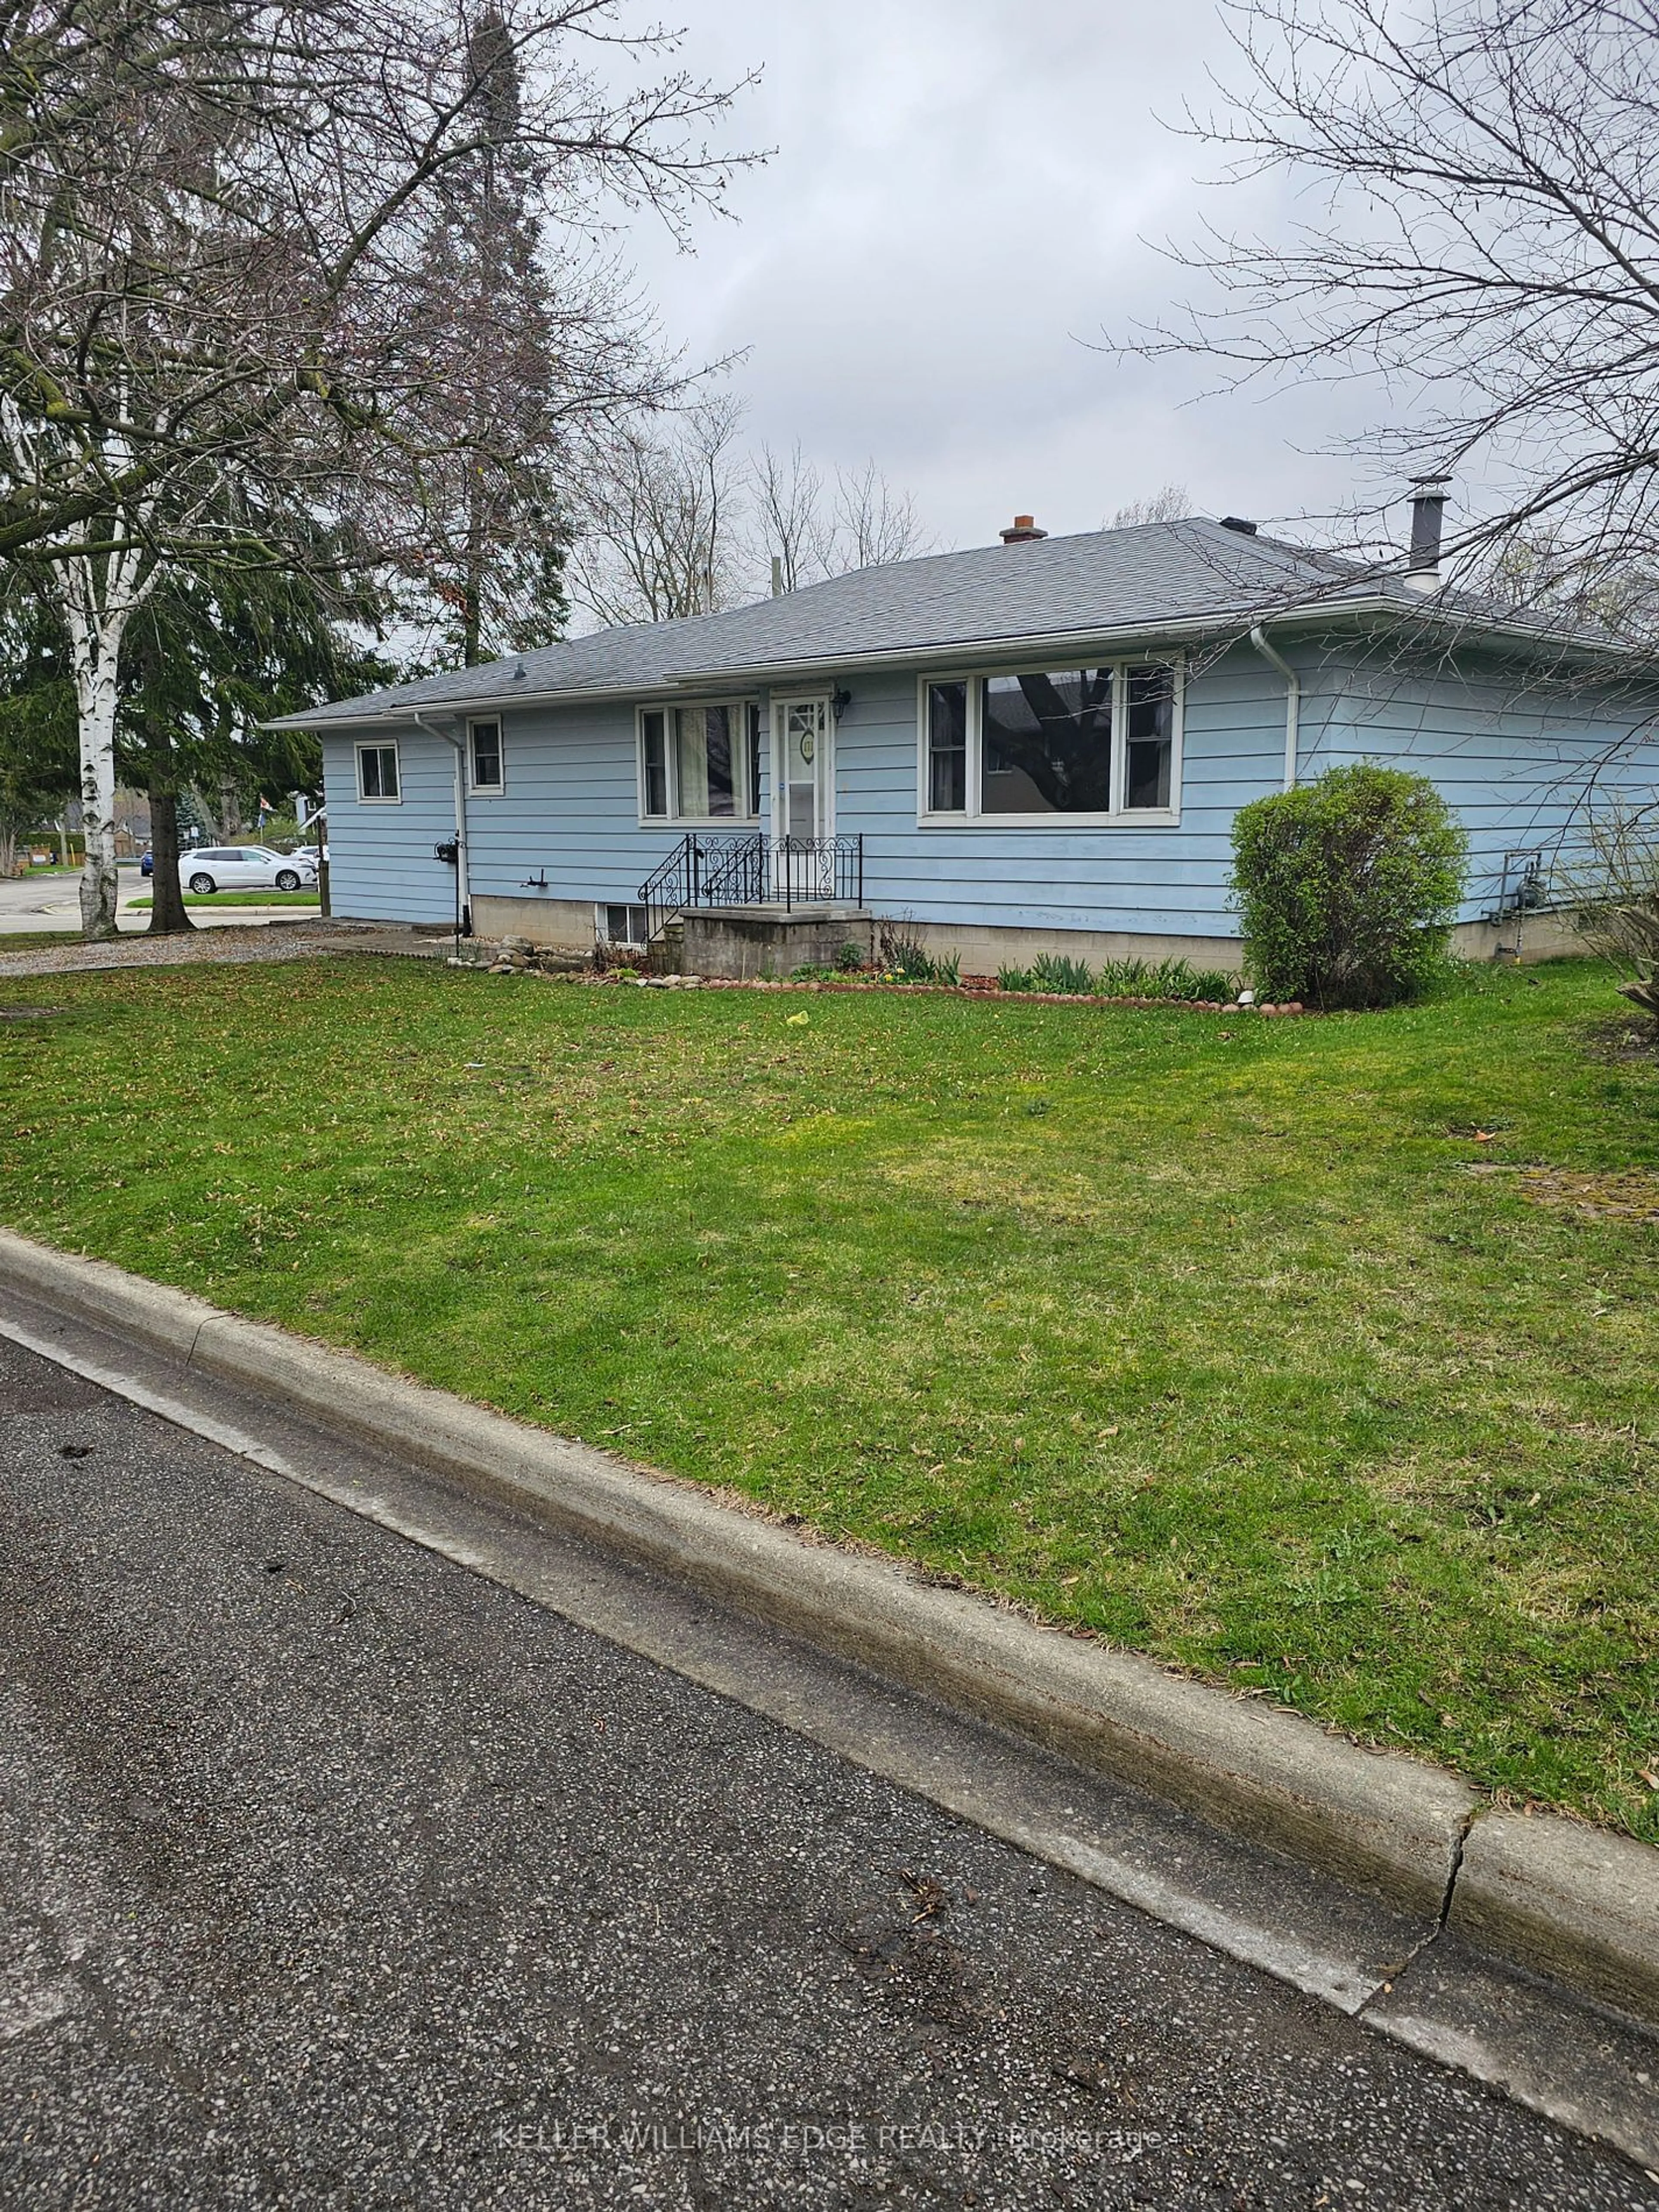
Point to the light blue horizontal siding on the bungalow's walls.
(1514, 764)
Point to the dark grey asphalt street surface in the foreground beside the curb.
(335, 1875)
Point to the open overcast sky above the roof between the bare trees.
(957, 205)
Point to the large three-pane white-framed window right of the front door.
(1078, 747)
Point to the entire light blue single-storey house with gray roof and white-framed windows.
(1025, 747)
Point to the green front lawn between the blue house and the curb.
(1240, 1342)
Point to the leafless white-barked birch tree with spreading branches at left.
(209, 262)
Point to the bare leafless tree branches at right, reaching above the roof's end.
(1479, 225)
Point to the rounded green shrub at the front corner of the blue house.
(1348, 886)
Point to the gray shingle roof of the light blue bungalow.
(1129, 581)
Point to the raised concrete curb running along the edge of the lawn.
(1552, 1897)
